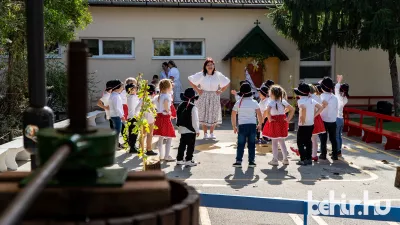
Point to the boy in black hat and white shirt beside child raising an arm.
(329, 116)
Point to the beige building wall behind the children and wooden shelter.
(366, 72)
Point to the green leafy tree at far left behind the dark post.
(61, 19)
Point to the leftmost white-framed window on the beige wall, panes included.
(110, 48)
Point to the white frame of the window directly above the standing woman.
(173, 56)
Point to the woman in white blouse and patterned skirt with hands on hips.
(209, 83)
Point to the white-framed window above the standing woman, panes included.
(178, 49)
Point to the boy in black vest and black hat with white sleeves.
(188, 126)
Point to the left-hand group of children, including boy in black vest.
(122, 106)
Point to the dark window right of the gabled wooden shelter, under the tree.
(316, 64)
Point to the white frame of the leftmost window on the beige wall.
(111, 56)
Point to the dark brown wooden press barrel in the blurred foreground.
(147, 198)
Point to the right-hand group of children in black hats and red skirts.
(320, 114)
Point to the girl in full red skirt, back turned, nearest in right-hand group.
(277, 125)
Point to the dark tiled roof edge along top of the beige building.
(182, 5)
